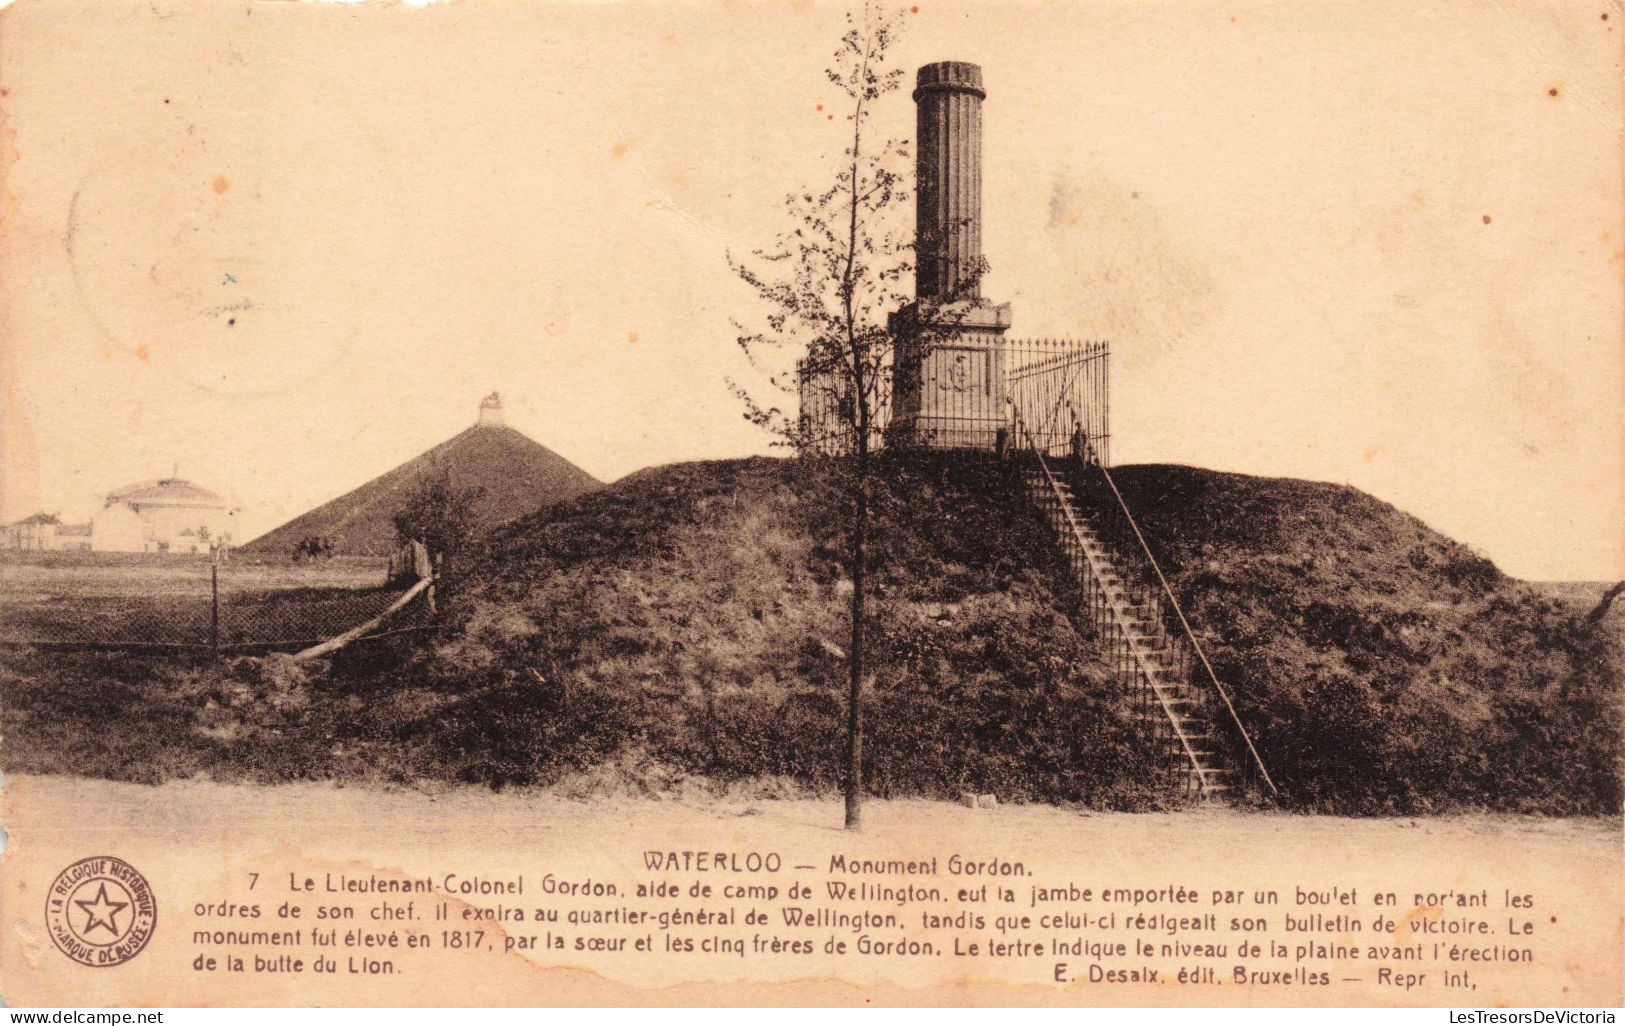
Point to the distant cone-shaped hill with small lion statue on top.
(516, 477)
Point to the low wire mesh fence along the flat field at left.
(178, 604)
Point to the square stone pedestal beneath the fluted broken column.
(948, 378)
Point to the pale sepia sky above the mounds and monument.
(285, 248)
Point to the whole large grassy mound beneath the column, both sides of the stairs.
(690, 620)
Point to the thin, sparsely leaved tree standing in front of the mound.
(830, 282)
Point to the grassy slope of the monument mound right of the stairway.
(1380, 666)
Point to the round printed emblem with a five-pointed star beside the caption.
(102, 911)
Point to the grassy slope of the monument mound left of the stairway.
(696, 615)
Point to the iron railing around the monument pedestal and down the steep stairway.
(1051, 399)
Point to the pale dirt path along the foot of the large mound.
(180, 809)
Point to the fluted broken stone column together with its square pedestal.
(948, 383)
